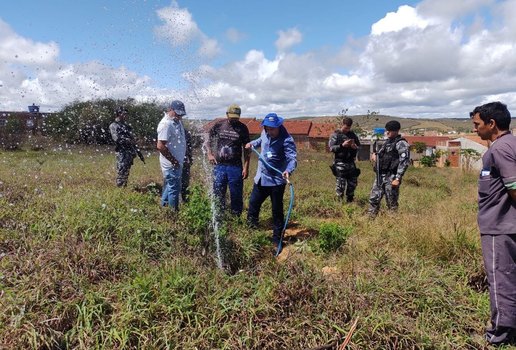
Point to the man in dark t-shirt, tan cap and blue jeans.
(226, 145)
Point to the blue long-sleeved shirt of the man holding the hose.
(280, 153)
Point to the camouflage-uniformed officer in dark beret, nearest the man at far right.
(391, 162)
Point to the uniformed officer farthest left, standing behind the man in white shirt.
(125, 146)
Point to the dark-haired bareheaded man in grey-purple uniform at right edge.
(497, 218)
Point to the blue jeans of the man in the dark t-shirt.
(224, 176)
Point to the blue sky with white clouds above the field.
(419, 59)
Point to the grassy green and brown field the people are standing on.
(85, 265)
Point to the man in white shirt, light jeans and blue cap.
(172, 148)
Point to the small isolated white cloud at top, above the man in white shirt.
(180, 29)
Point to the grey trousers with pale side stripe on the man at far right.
(499, 252)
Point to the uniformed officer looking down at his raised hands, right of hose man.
(344, 144)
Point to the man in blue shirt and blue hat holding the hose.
(279, 151)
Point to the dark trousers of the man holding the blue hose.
(258, 196)
